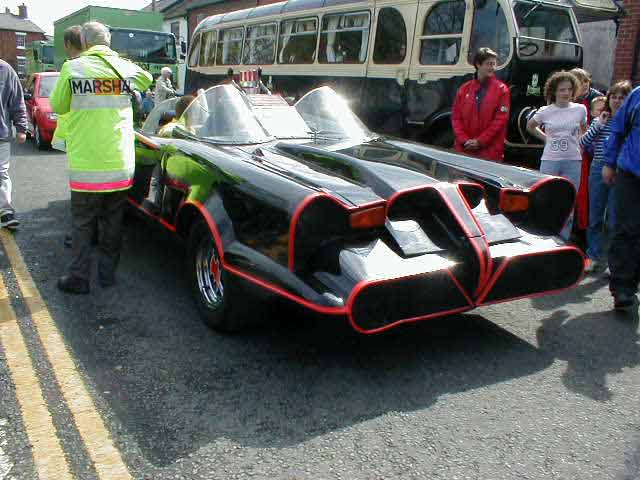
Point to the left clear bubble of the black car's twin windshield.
(222, 115)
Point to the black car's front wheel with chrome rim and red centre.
(216, 292)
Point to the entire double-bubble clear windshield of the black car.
(224, 115)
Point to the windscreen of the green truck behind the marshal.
(147, 47)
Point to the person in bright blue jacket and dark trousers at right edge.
(622, 165)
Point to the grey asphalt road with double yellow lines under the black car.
(534, 389)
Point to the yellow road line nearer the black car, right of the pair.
(105, 456)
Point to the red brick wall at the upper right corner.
(627, 59)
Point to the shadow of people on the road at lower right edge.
(593, 345)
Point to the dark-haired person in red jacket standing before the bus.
(481, 110)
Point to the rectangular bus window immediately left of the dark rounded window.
(345, 37)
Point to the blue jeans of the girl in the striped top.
(600, 201)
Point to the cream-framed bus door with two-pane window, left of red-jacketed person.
(439, 65)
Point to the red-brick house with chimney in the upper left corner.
(16, 34)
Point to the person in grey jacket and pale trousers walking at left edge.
(13, 113)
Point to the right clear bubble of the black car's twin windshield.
(327, 114)
